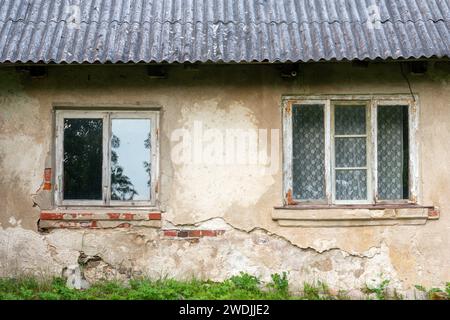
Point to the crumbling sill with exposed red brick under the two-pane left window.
(98, 219)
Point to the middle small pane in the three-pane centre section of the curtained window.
(350, 152)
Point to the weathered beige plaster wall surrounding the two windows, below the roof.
(235, 198)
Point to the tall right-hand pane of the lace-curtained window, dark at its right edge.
(393, 152)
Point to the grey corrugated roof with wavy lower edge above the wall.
(67, 31)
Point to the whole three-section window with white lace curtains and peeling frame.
(350, 149)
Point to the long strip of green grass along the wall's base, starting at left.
(241, 287)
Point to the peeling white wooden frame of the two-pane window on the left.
(107, 116)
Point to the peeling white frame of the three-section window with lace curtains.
(372, 102)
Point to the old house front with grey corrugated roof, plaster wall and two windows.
(205, 138)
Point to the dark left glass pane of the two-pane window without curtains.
(83, 157)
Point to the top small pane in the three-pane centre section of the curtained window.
(350, 120)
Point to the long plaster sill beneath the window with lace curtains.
(353, 215)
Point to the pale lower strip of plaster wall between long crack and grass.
(142, 251)
